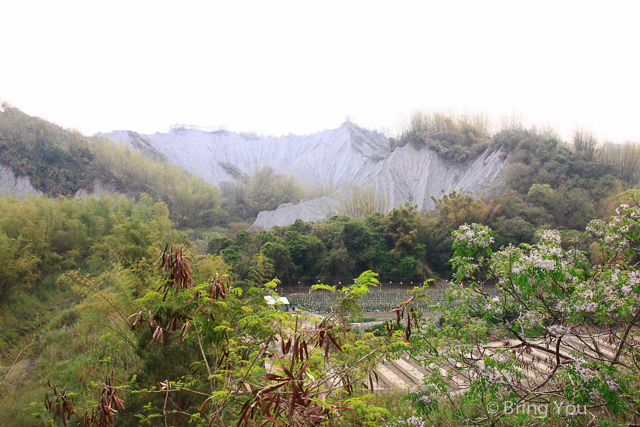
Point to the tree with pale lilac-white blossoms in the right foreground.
(536, 334)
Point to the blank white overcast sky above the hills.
(300, 67)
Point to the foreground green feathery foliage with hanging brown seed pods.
(212, 356)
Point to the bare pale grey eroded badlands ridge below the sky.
(340, 158)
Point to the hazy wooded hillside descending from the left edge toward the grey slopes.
(60, 162)
